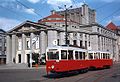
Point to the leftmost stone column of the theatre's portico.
(8, 50)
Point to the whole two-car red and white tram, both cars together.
(60, 59)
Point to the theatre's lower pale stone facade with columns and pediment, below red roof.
(30, 37)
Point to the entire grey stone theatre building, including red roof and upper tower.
(30, 37)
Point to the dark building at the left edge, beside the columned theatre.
(2, 47)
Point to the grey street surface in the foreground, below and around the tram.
(33, 75)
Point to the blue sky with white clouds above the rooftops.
(14, 12)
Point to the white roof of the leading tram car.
(66, 48)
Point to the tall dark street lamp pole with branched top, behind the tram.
(66, 33)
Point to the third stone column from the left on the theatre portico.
(23, 48)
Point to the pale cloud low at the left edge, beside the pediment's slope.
(7, 24)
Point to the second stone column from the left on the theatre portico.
(13, 47)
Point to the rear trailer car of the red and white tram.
(99, 59)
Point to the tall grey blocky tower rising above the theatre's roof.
(82, 15)
